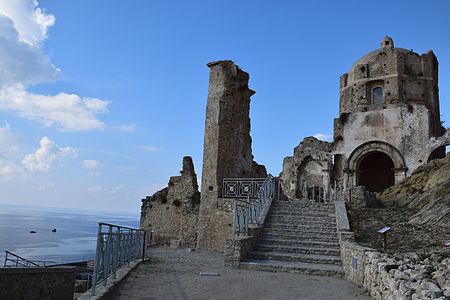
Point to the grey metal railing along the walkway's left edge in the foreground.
(117, 246)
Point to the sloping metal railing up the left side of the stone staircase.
(252, 211)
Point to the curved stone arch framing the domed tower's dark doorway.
(370, 148)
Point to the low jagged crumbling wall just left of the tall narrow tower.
(172, 213)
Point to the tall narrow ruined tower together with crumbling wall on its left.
(176, 213)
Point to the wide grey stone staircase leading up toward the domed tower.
(298, 237)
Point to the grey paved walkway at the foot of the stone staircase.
(175, 274)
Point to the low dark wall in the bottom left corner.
(37, 283)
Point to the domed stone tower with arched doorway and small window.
(388, 114)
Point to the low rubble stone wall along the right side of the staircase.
(386, 276)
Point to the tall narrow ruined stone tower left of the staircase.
(227, 151)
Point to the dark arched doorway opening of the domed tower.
(376, 171)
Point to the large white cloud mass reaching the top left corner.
(23, 30)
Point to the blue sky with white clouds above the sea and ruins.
(100, 100)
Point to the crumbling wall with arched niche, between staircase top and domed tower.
(309, 165)
